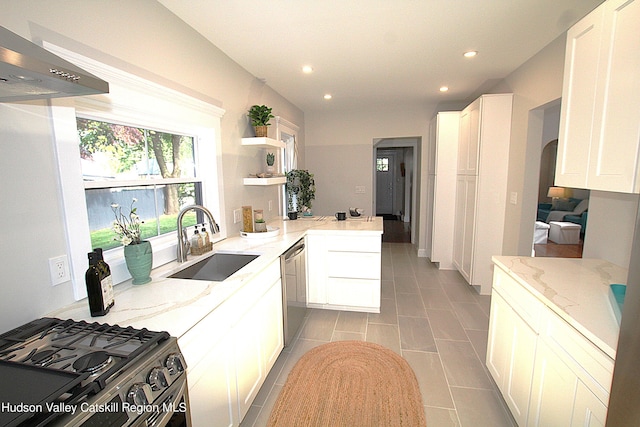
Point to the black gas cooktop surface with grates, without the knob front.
(49, 363)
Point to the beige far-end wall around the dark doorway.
(339, 151)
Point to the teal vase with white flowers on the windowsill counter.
(137, 252)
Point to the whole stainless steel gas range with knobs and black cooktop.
(91, 374)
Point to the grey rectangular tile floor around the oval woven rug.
(434, 320)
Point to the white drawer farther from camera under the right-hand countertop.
(520, 299)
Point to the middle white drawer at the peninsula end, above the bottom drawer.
(355, 265)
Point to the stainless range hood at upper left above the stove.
(28, 71)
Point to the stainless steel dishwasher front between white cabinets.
(294, 290)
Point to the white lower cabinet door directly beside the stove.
(212, 388)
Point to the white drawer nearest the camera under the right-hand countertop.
(590, 363)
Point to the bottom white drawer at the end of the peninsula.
(353, 292)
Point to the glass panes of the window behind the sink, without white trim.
(121, 163)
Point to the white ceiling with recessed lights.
(379, 52)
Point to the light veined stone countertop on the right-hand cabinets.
(576, 289)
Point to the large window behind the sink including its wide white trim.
(147, 108)
